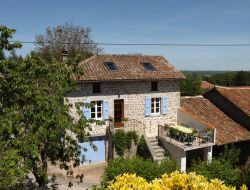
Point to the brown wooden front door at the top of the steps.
(118, 112)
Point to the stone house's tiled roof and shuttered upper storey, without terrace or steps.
(144, 89)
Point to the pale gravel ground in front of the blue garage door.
(60, 181)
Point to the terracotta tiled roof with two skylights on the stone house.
(129, 68)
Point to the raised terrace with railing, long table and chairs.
(186, 138)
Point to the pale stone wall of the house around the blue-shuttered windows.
(134, 94)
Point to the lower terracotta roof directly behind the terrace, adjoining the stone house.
(228, 131)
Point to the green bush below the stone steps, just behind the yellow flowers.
(146, 168)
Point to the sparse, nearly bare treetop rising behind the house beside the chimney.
(75, 39)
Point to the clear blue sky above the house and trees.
(145, 21)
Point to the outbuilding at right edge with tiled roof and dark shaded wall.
(234, 101)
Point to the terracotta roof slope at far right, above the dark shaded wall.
(239, 96)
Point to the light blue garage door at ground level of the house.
(92, 156)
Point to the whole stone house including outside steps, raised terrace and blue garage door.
(145, 90)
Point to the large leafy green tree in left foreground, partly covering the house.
(35, 124)
